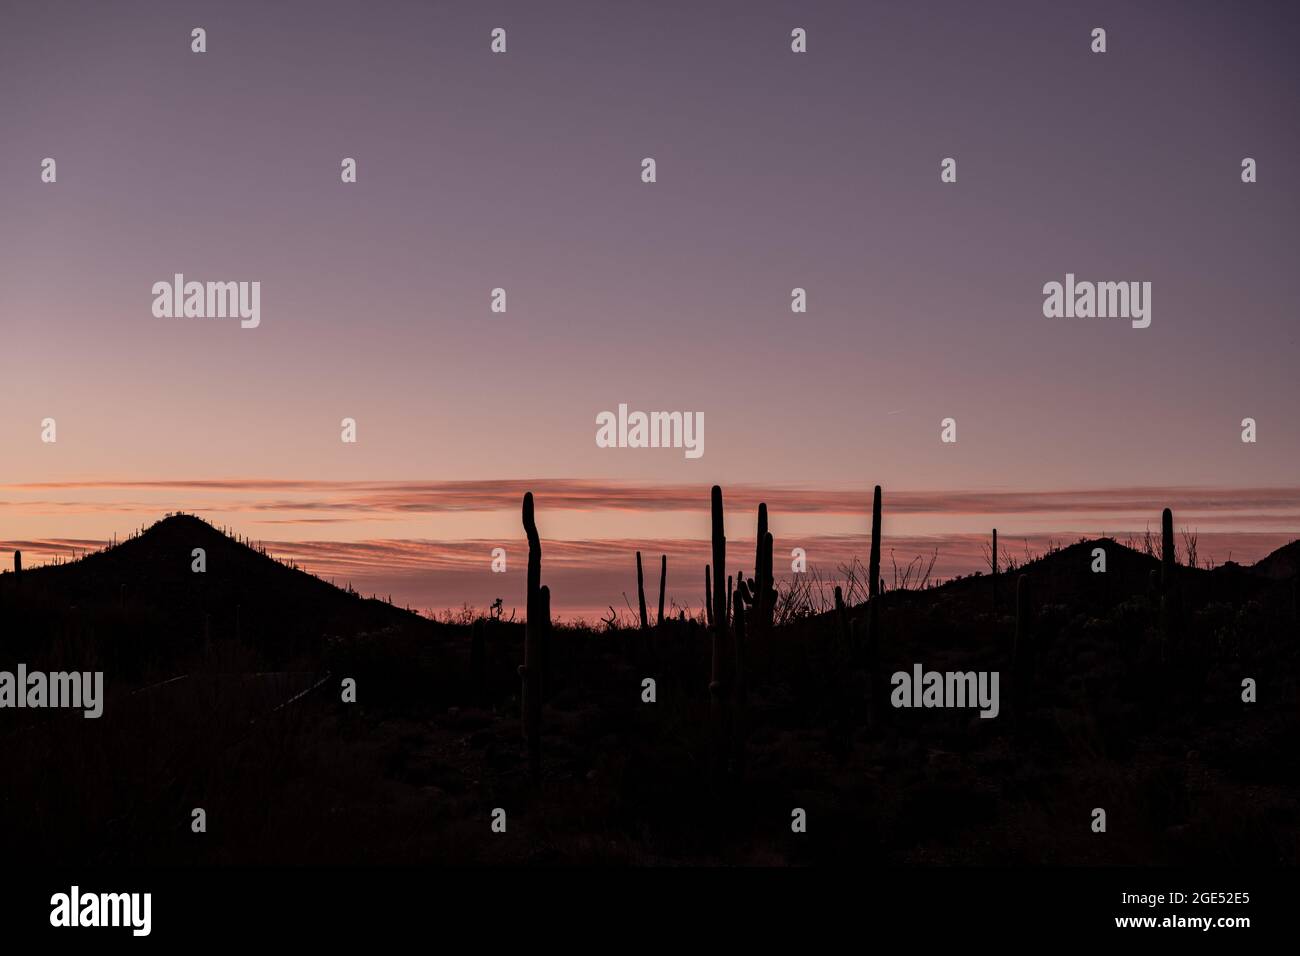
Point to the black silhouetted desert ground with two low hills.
(224, 694)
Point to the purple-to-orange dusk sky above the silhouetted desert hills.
(523, 171)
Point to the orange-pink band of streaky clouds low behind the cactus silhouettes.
(441, 576)
